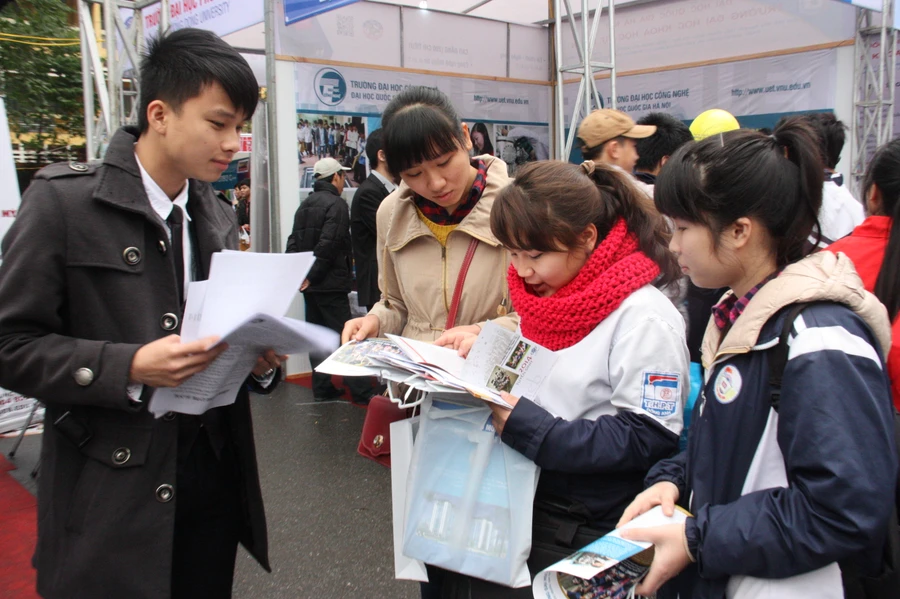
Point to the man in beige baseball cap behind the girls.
(608, 135)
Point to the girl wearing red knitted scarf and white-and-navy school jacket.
(585, 257)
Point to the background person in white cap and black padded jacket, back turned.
(322, 226)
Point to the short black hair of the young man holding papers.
(179, 65)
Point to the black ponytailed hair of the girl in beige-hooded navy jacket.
(776, 179)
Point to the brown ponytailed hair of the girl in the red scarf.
(550, 203)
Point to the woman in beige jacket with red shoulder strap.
(426, 227)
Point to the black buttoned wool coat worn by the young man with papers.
(86, 279)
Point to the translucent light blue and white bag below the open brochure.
(469, 505)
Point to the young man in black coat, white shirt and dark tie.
(91, 295)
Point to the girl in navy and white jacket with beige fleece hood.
(781, 487)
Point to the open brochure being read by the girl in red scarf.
(500, 360)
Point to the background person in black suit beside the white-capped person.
(368, 198)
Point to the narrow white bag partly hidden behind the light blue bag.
(405, 568)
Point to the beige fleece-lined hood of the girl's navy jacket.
(821, 277)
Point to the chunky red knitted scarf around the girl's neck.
(615, 269)
